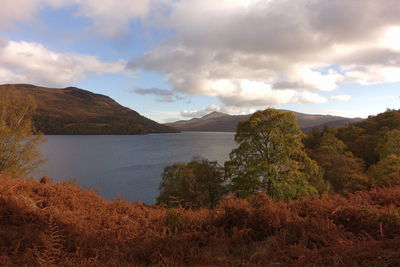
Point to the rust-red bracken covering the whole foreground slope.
(63, 225)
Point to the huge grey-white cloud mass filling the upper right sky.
(255, 53)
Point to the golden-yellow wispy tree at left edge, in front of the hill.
(18, 144)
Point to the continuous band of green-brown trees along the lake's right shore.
(276, 158)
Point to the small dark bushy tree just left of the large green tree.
(198, 183)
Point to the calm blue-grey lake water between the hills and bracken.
(127, 165)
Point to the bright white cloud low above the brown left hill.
(28, 62)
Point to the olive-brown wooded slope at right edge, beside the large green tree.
(359, 156)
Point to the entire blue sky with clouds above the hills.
(178, 59)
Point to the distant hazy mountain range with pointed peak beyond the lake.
(222, 122)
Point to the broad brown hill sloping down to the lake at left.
(75, 111)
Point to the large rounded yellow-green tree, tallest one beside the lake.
(270, 158)
